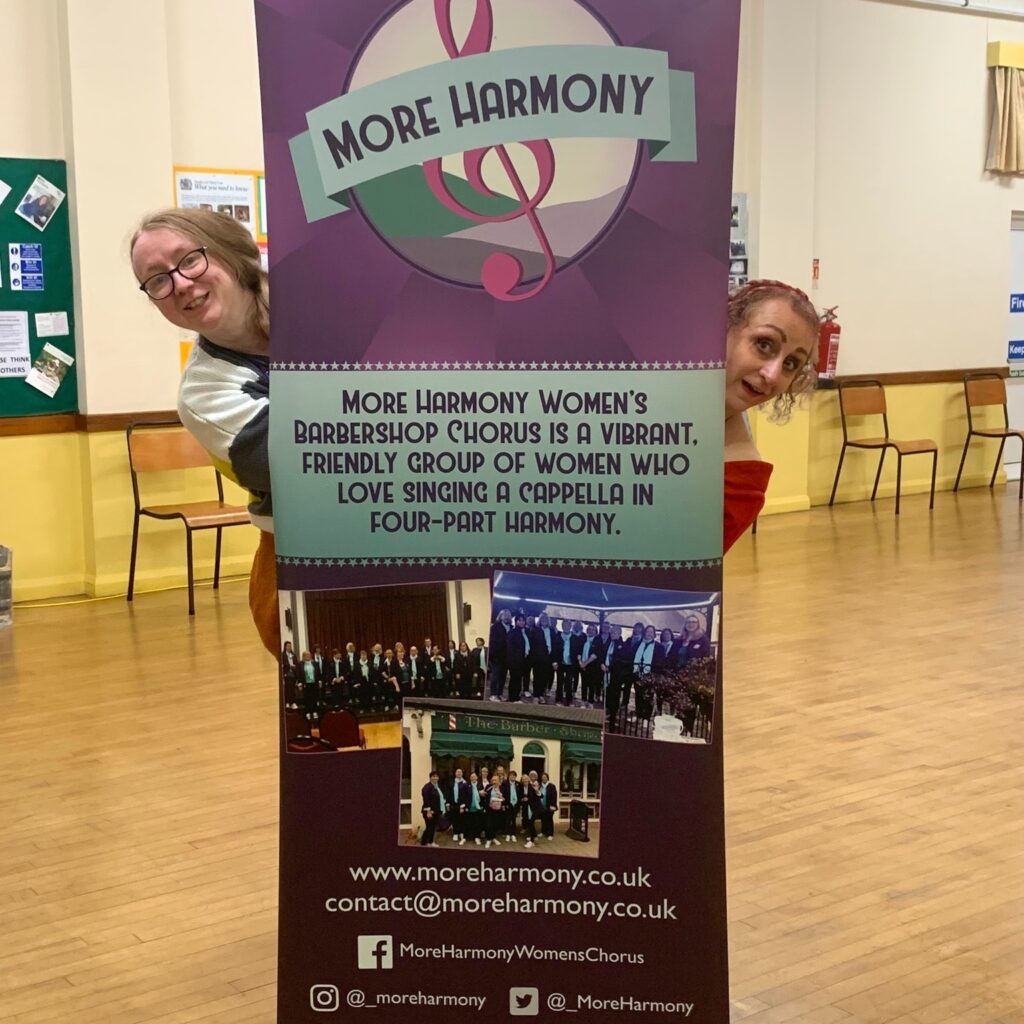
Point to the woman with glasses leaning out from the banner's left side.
(203, 272)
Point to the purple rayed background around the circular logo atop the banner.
(652, 289)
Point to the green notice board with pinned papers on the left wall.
(36, 278)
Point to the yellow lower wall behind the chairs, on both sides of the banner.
(70, 523)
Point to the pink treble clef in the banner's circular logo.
(501, 274)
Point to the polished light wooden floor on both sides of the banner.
(875, 741)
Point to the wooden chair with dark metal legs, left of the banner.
(155, 447)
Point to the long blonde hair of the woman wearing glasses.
(228, 241)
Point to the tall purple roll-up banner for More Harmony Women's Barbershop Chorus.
(498, 338)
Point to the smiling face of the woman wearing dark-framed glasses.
(215, 305)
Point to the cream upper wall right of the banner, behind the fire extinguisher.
(871, 121)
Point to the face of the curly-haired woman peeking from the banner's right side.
(765, 355)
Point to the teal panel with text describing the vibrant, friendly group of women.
(527, 465)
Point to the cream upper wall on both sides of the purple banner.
(862, 132)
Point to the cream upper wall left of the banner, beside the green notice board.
(124, 91)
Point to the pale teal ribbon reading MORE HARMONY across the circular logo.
(489, 100)
